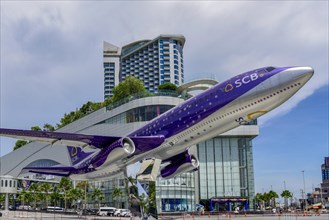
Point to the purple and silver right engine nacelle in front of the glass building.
(179, 163)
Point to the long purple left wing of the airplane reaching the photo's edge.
(63, 138)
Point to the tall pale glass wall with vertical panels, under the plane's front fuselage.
(226, 168)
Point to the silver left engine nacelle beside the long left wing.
(120, 149)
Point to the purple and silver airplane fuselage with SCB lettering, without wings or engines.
(223, 107)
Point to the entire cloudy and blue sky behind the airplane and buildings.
(51, 64)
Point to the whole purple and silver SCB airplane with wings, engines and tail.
(168, 137)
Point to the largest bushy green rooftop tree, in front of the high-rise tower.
(131, 85)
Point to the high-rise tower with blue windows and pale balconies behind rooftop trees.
(155, 62)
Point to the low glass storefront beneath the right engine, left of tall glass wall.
(176, 194)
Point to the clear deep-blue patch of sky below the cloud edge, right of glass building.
(295, 141)
